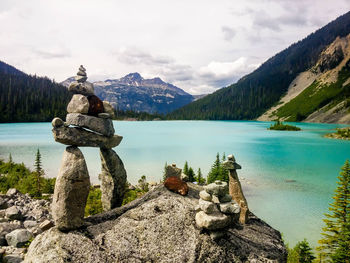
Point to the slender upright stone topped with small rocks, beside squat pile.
(235, 188)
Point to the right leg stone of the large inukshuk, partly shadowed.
(113, 179)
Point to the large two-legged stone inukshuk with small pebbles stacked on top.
(88, 124)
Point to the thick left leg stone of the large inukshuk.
(71, 190)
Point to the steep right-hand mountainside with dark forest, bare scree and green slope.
(304, 66)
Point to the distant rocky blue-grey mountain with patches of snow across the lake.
(133, 92)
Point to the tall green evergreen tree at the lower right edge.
(335, 245)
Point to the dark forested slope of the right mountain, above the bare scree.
(256, 92)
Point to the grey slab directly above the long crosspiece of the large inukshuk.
(102, 126)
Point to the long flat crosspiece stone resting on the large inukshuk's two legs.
(81, 137)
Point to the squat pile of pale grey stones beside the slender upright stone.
(216, 209)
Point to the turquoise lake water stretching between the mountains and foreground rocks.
(270, 160)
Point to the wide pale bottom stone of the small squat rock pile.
(212, 221)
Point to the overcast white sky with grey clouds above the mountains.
(199, 46)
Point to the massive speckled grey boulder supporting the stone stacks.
(158, 227)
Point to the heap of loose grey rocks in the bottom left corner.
(21, 219)
